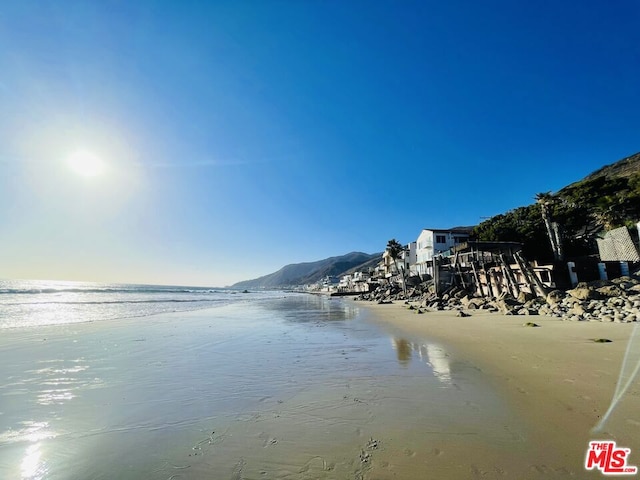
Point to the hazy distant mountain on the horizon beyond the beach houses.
(310, 272)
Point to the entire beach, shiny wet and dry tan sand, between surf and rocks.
(308, 388)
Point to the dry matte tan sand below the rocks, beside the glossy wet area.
(557, 379)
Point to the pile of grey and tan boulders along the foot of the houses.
(616, 300)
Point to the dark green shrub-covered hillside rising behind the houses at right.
(604, 199)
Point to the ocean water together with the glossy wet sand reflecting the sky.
(165, 383)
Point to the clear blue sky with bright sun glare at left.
(235, 137)
